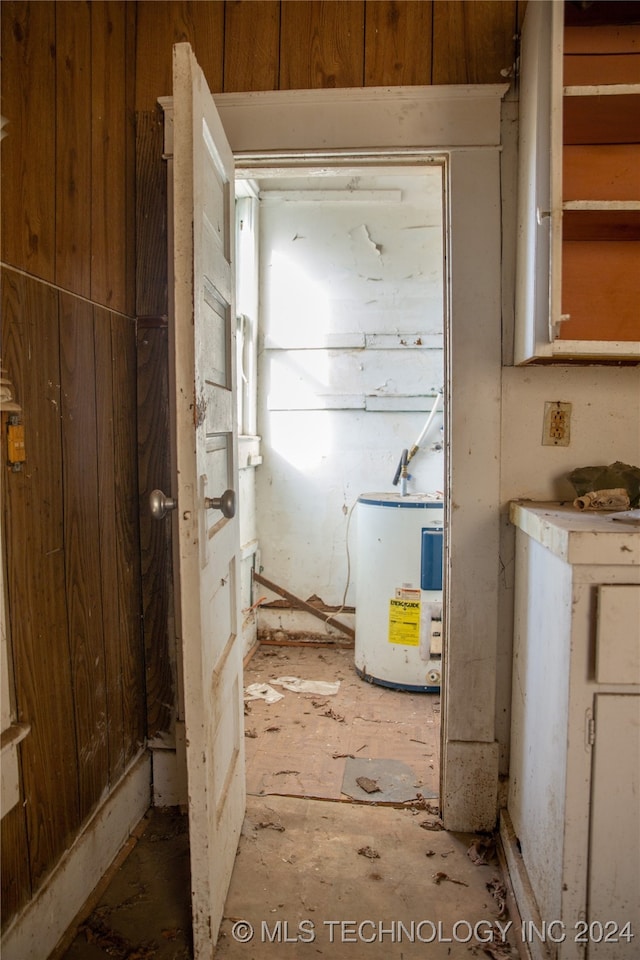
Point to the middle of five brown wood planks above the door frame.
(321, 44)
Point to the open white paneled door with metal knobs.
(206, 461)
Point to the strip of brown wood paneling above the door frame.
(306, 44)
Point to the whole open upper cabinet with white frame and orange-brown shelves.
(578, 258)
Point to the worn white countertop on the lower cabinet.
(578, 536)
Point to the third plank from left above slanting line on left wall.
(109, 240)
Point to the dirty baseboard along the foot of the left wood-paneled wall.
(35, 932)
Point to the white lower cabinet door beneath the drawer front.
(614, 855)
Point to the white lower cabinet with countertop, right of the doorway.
(574, 778)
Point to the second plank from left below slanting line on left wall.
(81, 543)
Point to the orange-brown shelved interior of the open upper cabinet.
(601, 184)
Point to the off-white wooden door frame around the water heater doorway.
(397, 124)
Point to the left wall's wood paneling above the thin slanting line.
(68, 164)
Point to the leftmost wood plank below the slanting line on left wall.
(37, 608)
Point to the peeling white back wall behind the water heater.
(350, 362)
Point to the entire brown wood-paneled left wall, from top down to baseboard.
(70, 517)
